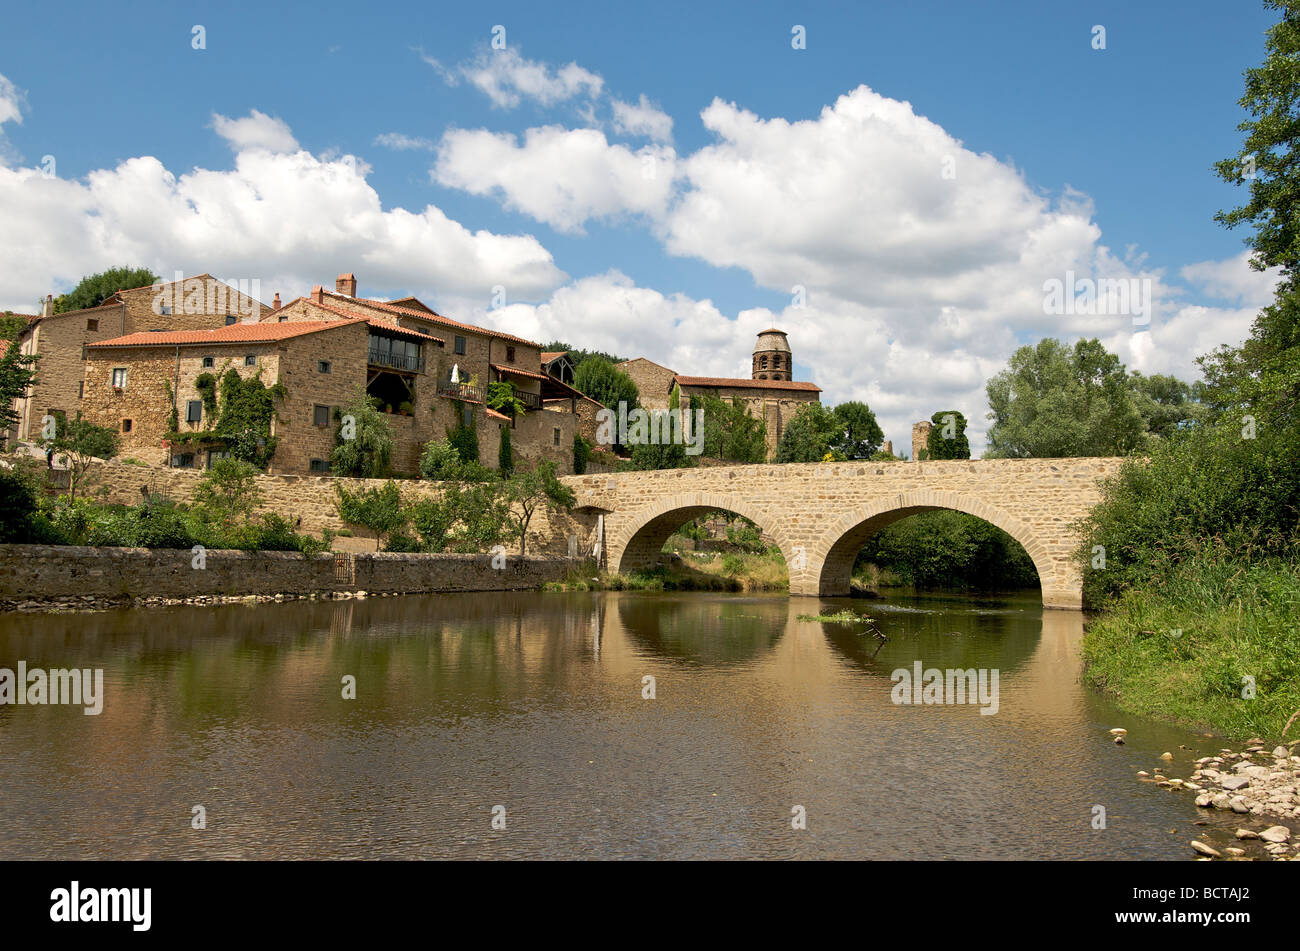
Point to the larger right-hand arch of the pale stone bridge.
(834, 555)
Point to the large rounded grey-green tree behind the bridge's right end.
(1055, 401)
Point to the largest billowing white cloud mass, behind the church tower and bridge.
(920, 284)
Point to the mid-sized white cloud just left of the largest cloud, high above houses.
(564, 177)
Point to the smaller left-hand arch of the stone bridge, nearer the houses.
(639, 537)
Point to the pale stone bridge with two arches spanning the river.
(821, 515)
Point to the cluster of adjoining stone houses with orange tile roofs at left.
(133, 364)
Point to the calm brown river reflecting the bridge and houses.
(535, 704)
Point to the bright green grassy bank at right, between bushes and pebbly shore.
(1182, 650)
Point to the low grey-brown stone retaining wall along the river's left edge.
(33, 575)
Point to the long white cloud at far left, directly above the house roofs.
(289, 220)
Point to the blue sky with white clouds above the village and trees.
(1113, 145)
